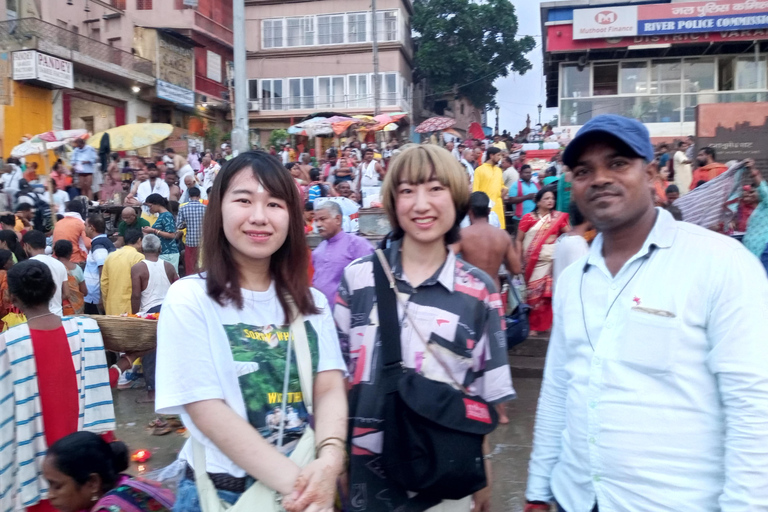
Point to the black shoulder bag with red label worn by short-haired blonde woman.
(433, 433)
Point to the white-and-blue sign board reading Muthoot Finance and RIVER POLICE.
(675, 18)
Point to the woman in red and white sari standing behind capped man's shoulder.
(538, 232)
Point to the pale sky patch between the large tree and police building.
(518, 95)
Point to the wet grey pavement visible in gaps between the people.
(511, 444)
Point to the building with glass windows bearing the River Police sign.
(653, 60)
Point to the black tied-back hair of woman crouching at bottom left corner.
(81, 454)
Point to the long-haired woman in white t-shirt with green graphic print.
(223, 337)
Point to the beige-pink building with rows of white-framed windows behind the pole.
(316, 55)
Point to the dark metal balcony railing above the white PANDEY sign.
(32, 33)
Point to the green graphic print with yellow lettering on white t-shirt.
(259, 353)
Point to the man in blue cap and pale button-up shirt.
(655, 391)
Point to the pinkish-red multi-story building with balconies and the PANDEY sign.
(105, 63)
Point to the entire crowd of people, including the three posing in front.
(301, 366)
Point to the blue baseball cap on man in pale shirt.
(631, 133)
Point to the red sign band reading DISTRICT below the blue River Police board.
(560, 39)
